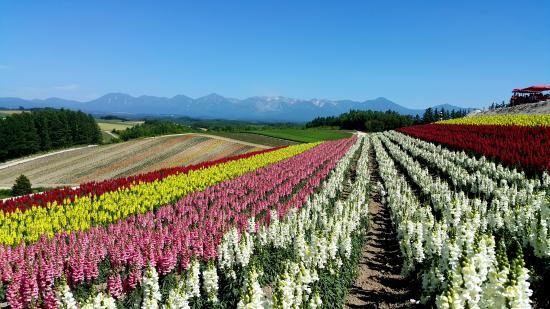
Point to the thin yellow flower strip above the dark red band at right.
(513, 120)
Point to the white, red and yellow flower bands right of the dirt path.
(491, 175)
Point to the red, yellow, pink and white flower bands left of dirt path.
(204, 236)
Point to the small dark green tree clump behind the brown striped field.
(151, 128)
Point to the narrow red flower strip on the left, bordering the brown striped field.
(68, 195)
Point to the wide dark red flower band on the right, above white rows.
(528, 147)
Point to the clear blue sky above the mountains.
(416, 53)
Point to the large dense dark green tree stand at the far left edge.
(45, 129)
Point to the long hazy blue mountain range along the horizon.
(259, 108)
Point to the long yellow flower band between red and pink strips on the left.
(86, 212)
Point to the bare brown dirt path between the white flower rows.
(379, 283)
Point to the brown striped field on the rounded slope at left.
(122, 159)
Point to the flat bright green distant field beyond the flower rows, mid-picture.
(303, 135)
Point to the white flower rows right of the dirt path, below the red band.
(464, 224)
